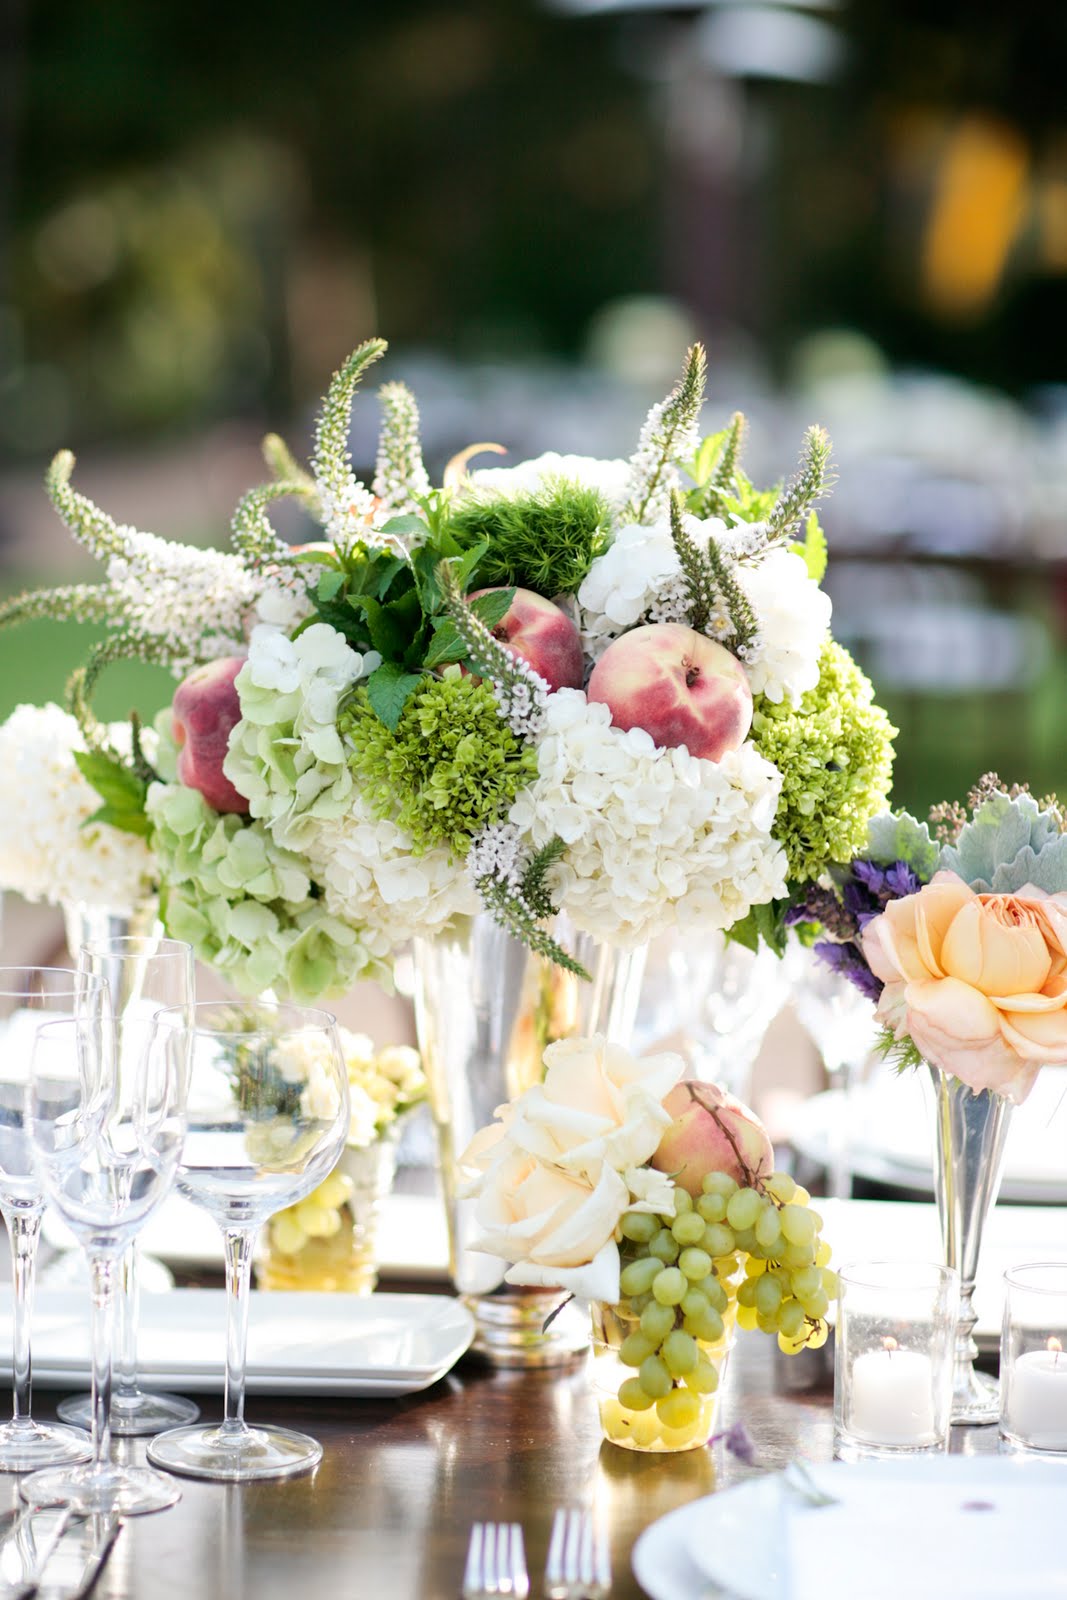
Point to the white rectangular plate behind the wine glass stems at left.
(343, 1345)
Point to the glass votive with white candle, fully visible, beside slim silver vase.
(895, 1346)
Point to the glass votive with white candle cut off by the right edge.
(1034, 1358)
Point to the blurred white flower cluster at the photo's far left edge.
(46, 850)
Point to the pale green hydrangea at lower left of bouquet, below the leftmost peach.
(247, 906)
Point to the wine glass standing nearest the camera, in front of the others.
(106, 1159)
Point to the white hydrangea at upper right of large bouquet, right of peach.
(794, 618)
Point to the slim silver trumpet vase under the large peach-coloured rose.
(972, 1134)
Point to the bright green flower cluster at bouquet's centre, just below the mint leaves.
(452, 767)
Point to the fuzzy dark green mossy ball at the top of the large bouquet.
(543, 540)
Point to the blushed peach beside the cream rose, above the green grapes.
(713, 1134)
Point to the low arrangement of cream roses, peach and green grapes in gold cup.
(655, 1199)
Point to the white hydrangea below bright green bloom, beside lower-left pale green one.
(370, 876)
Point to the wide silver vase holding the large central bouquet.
(486, 1010)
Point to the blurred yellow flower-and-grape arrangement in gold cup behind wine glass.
(329, 1241)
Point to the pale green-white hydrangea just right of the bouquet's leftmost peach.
(287, 756)
